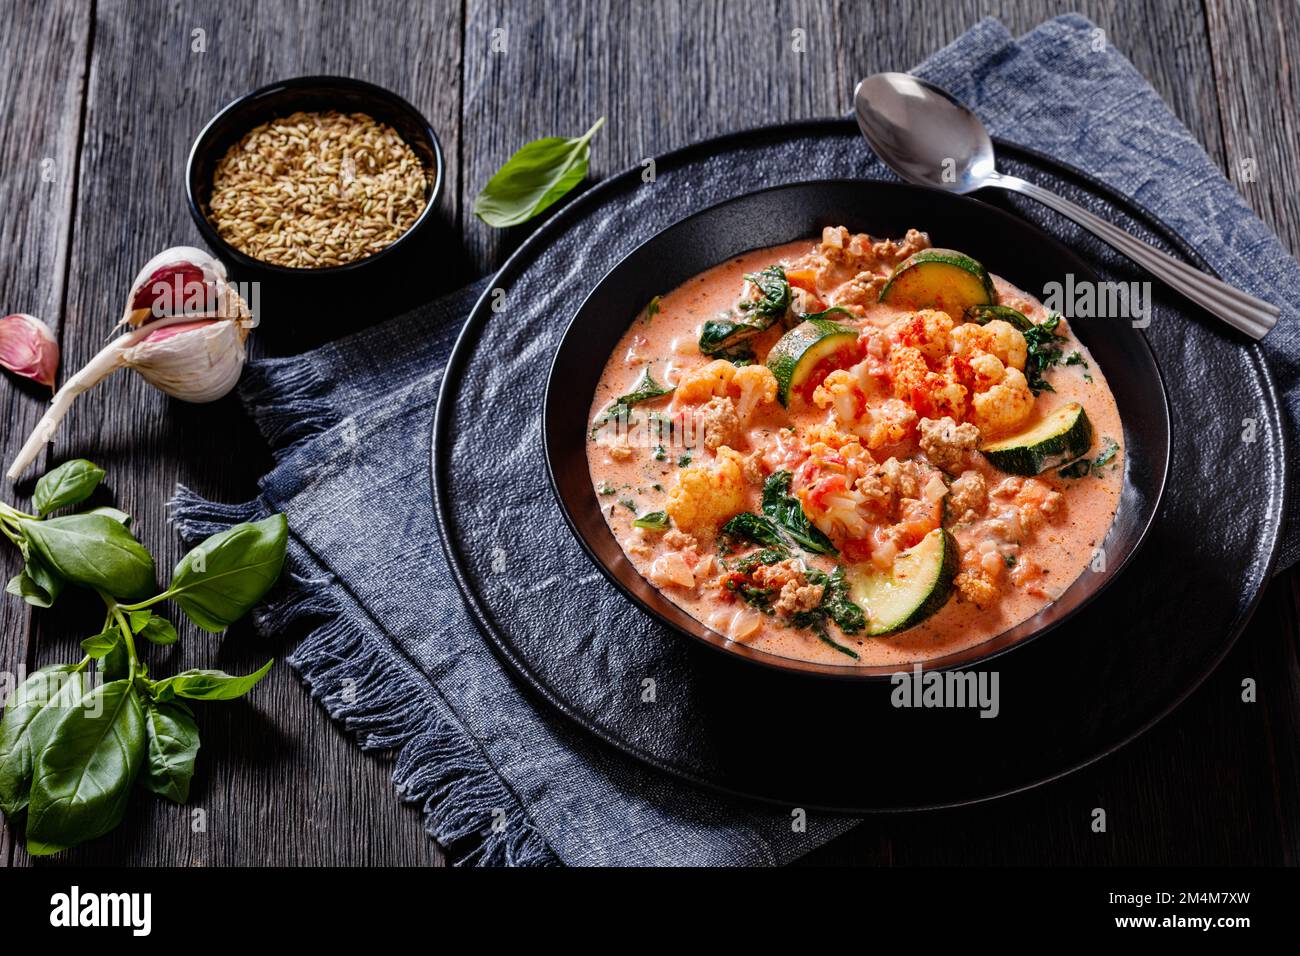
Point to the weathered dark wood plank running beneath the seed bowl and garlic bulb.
(278, 781)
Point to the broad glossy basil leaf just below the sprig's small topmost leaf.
(93, 551)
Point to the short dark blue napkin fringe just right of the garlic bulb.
(287, 401)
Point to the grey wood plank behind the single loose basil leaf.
(665, 75)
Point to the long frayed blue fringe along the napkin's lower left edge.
(439, 765)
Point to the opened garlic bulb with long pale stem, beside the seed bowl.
(187, 338)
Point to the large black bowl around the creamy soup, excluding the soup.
(1007, 245)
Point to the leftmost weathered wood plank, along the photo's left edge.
(42, 92)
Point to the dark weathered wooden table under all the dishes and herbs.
(101, 101)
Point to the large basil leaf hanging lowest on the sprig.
(84, 777)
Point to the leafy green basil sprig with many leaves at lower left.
(75, 742)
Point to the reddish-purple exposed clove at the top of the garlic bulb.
(181, 280)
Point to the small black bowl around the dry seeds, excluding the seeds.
(289, 97)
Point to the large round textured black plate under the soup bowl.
(1099, 681)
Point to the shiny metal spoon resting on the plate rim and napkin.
(931, 140)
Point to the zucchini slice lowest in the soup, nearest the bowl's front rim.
(918, 586)
